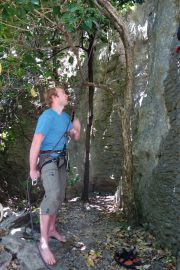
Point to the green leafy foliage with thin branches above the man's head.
(34, 50)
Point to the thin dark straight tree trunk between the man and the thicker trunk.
(85, 196)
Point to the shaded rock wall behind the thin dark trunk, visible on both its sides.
(106, 147)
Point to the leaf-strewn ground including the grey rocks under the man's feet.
(95, 231)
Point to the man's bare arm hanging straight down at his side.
(33, 156)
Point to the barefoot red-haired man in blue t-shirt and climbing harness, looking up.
(48, 144)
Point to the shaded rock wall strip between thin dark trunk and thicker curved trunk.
(106, 149)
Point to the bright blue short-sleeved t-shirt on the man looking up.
(53, 126)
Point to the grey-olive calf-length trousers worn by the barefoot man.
(53, 178)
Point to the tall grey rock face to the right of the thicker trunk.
(156, 118)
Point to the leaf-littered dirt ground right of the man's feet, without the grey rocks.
(95, 231)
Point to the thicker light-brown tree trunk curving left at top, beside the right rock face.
(125, 111)
